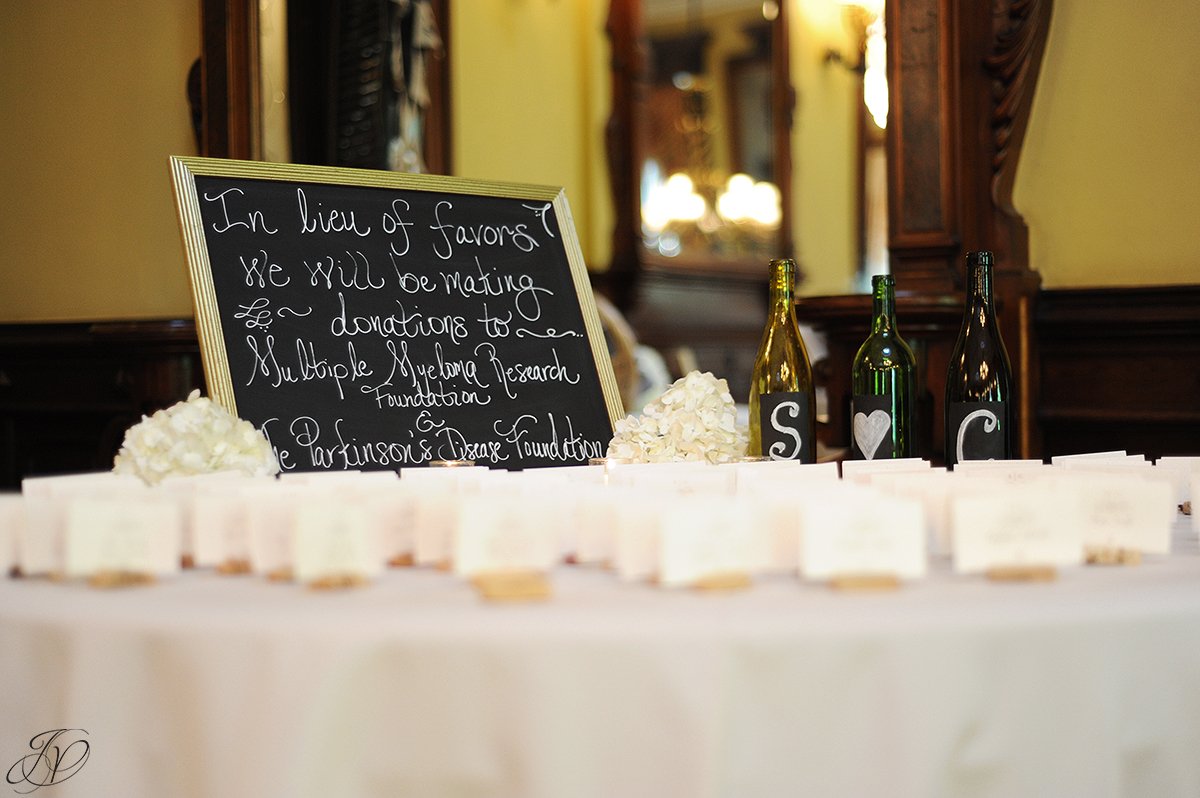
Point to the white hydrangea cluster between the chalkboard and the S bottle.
(694, 421)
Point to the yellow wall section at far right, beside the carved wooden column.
(1109, 179)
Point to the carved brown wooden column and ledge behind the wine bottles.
(962, 76)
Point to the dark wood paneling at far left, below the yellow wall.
(70, 392)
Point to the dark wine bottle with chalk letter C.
(981, 406)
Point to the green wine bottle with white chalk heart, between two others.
(884, 385)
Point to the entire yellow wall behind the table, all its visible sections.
(95, 103)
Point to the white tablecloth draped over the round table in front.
(211, 686)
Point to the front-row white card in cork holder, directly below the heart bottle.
(863, 535)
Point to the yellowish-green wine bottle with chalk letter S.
(783, 405)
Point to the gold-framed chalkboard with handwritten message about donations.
(374, 321)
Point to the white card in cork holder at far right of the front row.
(1124, 513)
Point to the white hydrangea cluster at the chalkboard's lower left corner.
(194, 437)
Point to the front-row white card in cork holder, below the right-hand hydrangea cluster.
(706, 543)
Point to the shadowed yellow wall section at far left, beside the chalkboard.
(94, 103)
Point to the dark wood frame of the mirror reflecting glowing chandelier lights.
(629, 67)
